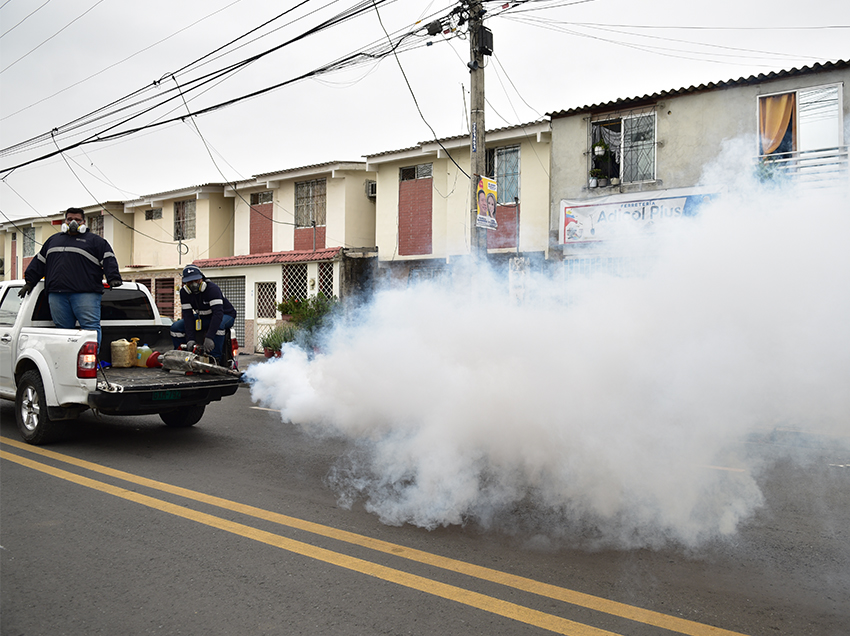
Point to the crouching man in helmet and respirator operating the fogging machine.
(215, 314)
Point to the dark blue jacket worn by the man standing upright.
(74, 263)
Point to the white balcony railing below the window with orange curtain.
(821, 168)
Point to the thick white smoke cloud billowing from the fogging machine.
(614, 415)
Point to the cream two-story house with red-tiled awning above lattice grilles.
(299, 232)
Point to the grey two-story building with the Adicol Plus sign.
(632, 163)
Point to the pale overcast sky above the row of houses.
(61, 60)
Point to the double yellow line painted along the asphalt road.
(489, 604)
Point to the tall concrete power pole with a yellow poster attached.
(480, 44)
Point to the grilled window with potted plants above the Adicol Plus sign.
(623, 146)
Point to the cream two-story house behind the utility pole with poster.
(425, 193)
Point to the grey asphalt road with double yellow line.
(128, 527)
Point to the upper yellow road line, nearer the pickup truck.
(649, 617)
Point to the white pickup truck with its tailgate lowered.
(54, 374)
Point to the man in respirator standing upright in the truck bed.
(73, 264)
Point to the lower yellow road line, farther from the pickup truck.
(435, 588)
